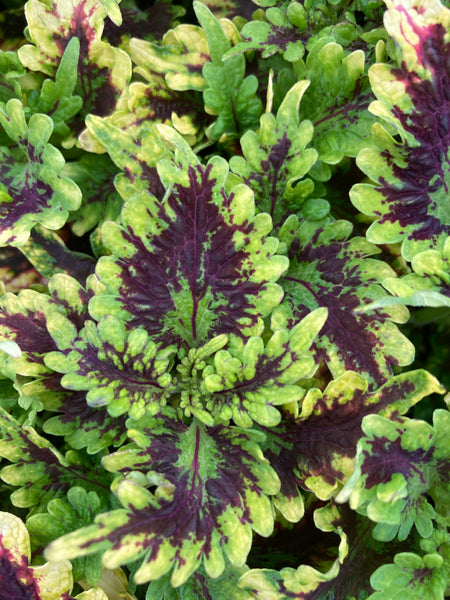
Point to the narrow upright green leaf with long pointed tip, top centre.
(229, 95)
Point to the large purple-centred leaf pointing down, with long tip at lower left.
(211, 491)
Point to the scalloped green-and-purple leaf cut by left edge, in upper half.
(31, 189)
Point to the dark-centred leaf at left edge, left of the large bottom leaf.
(38, 469)
